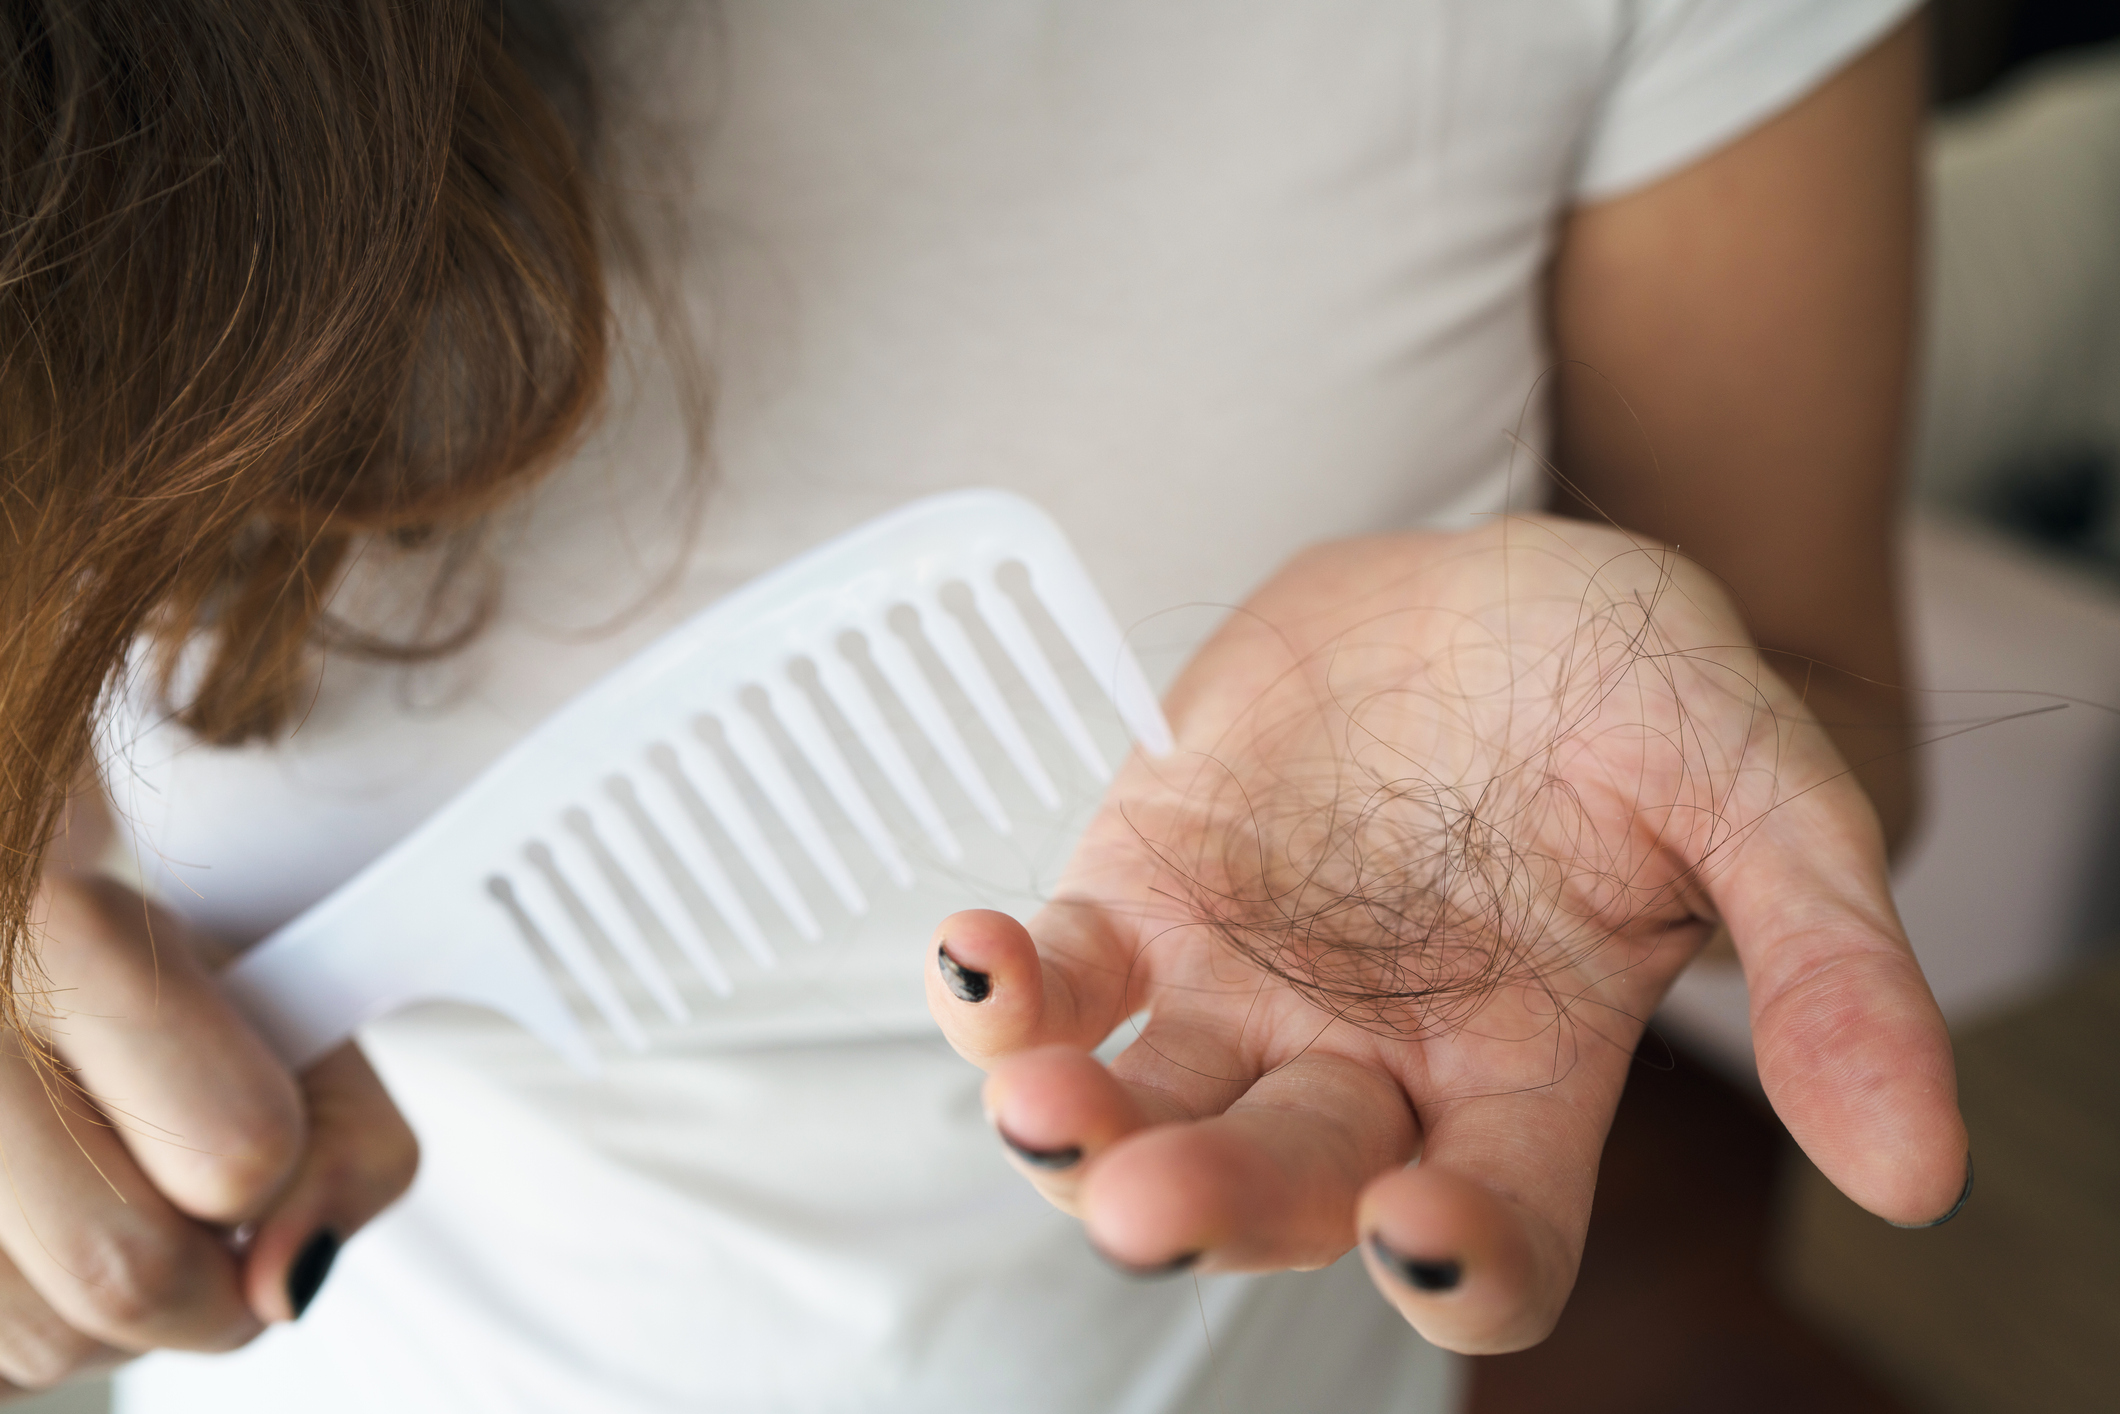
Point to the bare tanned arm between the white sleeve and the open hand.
(1735, 349)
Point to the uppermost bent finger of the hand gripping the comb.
(202, 1106)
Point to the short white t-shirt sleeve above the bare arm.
(1693, 75)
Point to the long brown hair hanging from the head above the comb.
(277, 277)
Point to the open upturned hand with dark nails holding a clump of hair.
(1447, 817)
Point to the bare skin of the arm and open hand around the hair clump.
(1748, 321)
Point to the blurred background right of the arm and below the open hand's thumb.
(1722, 1275)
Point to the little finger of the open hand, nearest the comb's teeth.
(995, 991)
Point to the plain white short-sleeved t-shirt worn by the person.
(1209, 283)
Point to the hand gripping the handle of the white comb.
(164, 1129)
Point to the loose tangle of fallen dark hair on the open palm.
(1400, 834)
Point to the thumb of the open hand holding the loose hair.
(1852, 1048)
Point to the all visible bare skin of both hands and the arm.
(1748, 321)
